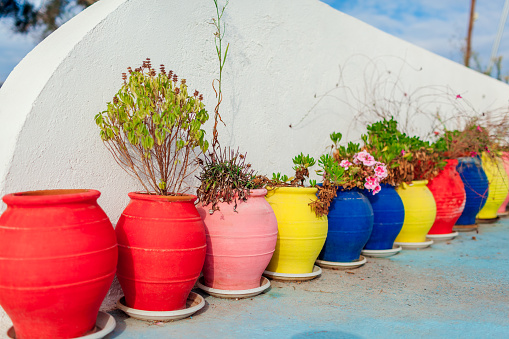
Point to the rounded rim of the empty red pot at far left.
(46, 197)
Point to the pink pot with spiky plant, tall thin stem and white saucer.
(240, 226)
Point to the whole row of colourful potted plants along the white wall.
(58, 247)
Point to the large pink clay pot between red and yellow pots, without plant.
(239, 244)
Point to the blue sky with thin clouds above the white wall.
(437, 25)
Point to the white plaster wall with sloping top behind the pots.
(281, 54)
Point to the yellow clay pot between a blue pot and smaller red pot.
(420, 211)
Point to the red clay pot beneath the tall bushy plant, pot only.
(161, 251)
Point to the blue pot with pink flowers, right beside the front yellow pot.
(347, 173)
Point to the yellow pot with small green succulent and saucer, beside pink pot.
(301, 232)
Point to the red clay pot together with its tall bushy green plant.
(153, 130)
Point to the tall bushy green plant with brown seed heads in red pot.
(153, 128)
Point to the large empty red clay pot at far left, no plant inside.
(58, 255)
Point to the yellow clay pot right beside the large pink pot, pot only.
(301, 234)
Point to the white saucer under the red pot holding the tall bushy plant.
(195, 302)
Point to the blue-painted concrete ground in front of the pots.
(451, 290)
